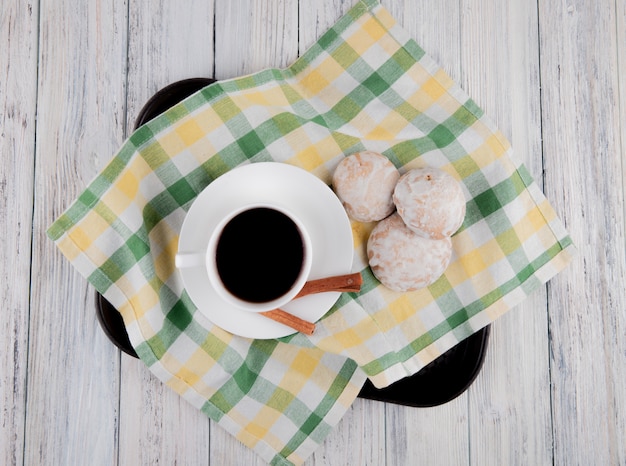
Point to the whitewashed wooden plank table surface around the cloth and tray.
(73, 76)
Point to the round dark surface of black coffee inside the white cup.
(259, 254)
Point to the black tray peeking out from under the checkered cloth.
(439, 382)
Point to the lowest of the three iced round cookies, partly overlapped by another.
(403, 260)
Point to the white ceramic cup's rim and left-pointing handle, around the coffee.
(209, 260)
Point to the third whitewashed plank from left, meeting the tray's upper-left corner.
(167, 42)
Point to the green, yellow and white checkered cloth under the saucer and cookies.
(365, 85)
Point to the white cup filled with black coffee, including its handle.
(258, 257)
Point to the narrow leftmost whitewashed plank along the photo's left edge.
(18, 75)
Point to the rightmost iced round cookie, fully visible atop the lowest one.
(430, 201)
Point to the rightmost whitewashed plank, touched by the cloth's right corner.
(583, 175)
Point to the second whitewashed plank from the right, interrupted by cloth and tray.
(510, 401)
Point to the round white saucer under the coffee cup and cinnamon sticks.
(307, 196)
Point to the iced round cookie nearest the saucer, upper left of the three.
(364, 182)
